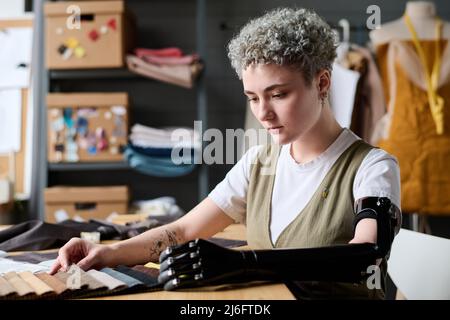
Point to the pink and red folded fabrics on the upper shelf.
(168, 64)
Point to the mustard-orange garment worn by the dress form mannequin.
(408, 130)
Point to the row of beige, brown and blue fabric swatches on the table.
(76, 283)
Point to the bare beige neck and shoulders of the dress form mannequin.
(423, 17)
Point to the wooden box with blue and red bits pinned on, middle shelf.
(87, 127)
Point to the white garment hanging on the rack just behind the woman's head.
(342, 93)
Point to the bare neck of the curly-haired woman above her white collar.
(314, 142)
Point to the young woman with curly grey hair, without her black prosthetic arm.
(284, 59)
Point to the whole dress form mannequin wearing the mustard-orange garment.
(413, 129)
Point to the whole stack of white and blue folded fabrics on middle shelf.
(167, 152)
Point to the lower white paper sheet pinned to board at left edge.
(10, 120)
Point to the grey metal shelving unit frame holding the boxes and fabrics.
(45, 81)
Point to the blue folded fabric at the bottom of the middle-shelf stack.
(156, 166)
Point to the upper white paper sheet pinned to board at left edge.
(15, 57)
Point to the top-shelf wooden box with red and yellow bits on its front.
(99, 38)
